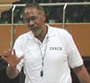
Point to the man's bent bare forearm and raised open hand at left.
(11, 58)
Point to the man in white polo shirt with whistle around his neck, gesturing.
(46, 53)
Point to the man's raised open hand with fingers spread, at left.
(11, 58)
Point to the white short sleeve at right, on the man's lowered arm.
(73, 54)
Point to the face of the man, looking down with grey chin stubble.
(34, 20)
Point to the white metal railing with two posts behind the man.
(42, 4)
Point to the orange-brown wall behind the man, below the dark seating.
(79, 31)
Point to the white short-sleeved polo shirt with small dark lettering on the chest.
(58, 50)
